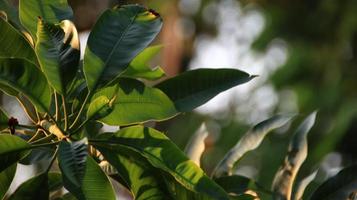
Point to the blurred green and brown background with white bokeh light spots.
(305, 53)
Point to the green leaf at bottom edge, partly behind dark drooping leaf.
(95, 184)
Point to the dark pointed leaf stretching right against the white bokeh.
(194, 88)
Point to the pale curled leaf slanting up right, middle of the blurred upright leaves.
(250, 141)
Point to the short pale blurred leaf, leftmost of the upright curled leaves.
(196, 145)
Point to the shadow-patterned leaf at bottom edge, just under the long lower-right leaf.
(138, 174)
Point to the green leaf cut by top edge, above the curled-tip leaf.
(49, 10)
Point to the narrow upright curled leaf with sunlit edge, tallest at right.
(297, 153)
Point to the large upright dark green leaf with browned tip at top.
(117, 37)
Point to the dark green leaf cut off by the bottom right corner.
(339, 186)
